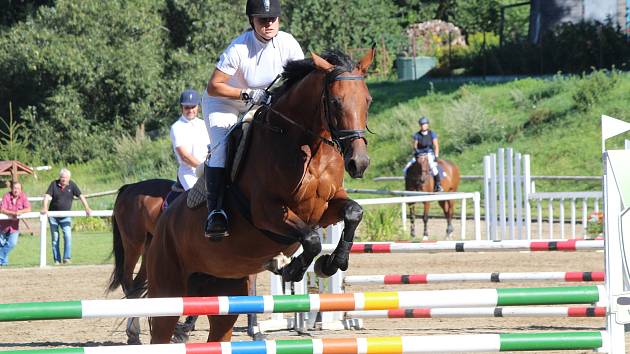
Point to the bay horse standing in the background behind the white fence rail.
(419, 178)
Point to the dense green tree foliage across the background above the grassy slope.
(81, 74)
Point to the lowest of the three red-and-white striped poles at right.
(481, 312)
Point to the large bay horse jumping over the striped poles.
(290, 185)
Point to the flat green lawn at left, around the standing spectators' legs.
(87, 248)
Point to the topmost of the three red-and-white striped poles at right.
(472, 246)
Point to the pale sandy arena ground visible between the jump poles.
(88, 282)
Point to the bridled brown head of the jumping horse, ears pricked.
(346, 102)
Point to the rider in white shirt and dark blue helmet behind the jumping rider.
(189, 139)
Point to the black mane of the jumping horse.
(294, 71)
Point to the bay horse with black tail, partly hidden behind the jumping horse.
(134, 217)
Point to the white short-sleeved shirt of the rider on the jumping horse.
(252, 63)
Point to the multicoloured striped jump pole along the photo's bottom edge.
(381, 345)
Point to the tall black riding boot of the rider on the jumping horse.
(216, 224)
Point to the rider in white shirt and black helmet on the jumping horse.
(247, 66)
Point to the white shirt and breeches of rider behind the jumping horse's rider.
(193, 137)
